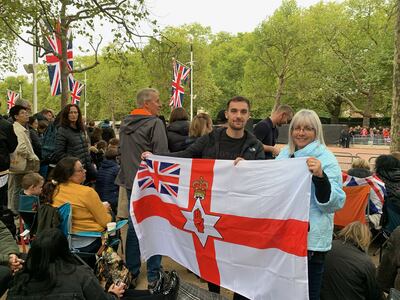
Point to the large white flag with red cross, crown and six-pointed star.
(242, 227)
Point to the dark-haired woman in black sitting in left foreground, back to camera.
(51, 271)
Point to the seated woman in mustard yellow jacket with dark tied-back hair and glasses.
(88, 212)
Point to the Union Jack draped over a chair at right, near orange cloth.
(377, 186)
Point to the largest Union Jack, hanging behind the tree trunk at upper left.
(54, 62)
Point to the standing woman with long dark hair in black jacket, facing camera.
(71, 138)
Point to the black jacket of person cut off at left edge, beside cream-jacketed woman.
(8, 143)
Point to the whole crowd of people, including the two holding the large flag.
(54, 159)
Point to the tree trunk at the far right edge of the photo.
(395, 128)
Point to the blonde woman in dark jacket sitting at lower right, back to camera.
(349, 271)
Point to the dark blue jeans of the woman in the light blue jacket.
(316, 262)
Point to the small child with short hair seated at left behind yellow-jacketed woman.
(29, 199)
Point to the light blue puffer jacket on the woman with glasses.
(321, 214)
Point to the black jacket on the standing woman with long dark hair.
(72, 142)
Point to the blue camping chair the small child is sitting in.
(27, 209)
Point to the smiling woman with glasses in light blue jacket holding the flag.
(306, 140)
